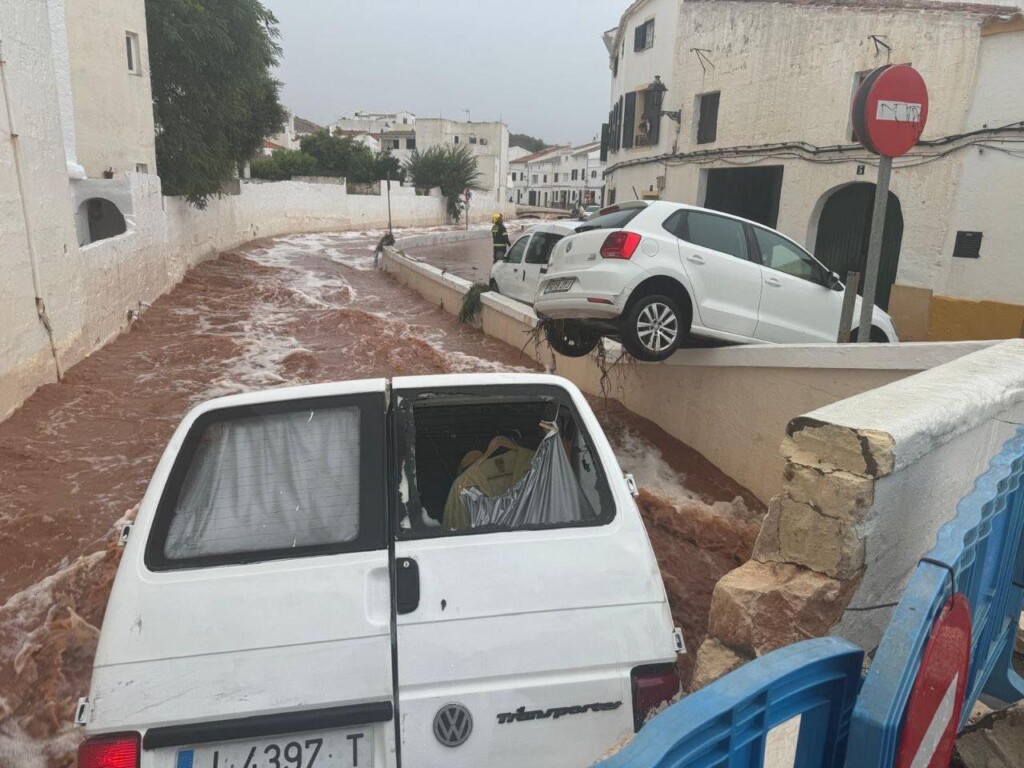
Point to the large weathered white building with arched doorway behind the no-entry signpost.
(756, 121)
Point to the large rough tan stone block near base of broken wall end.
(762, 607)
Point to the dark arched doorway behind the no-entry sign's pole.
(844, 230)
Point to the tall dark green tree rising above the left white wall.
(215, 99)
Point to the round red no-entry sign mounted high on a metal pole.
(890, 110)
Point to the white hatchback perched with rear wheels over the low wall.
(653, 274)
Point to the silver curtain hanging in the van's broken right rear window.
(548, 495)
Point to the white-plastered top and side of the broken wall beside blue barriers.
(943, 426)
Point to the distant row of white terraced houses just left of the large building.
(560, 178)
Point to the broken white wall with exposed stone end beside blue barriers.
(869, 482)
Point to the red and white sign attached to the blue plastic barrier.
(933, 711)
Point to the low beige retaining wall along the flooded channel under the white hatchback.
(732, 404)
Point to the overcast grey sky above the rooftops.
(538, 65)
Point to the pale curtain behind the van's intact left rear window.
(271, 483)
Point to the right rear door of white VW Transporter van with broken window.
(517, 638)
